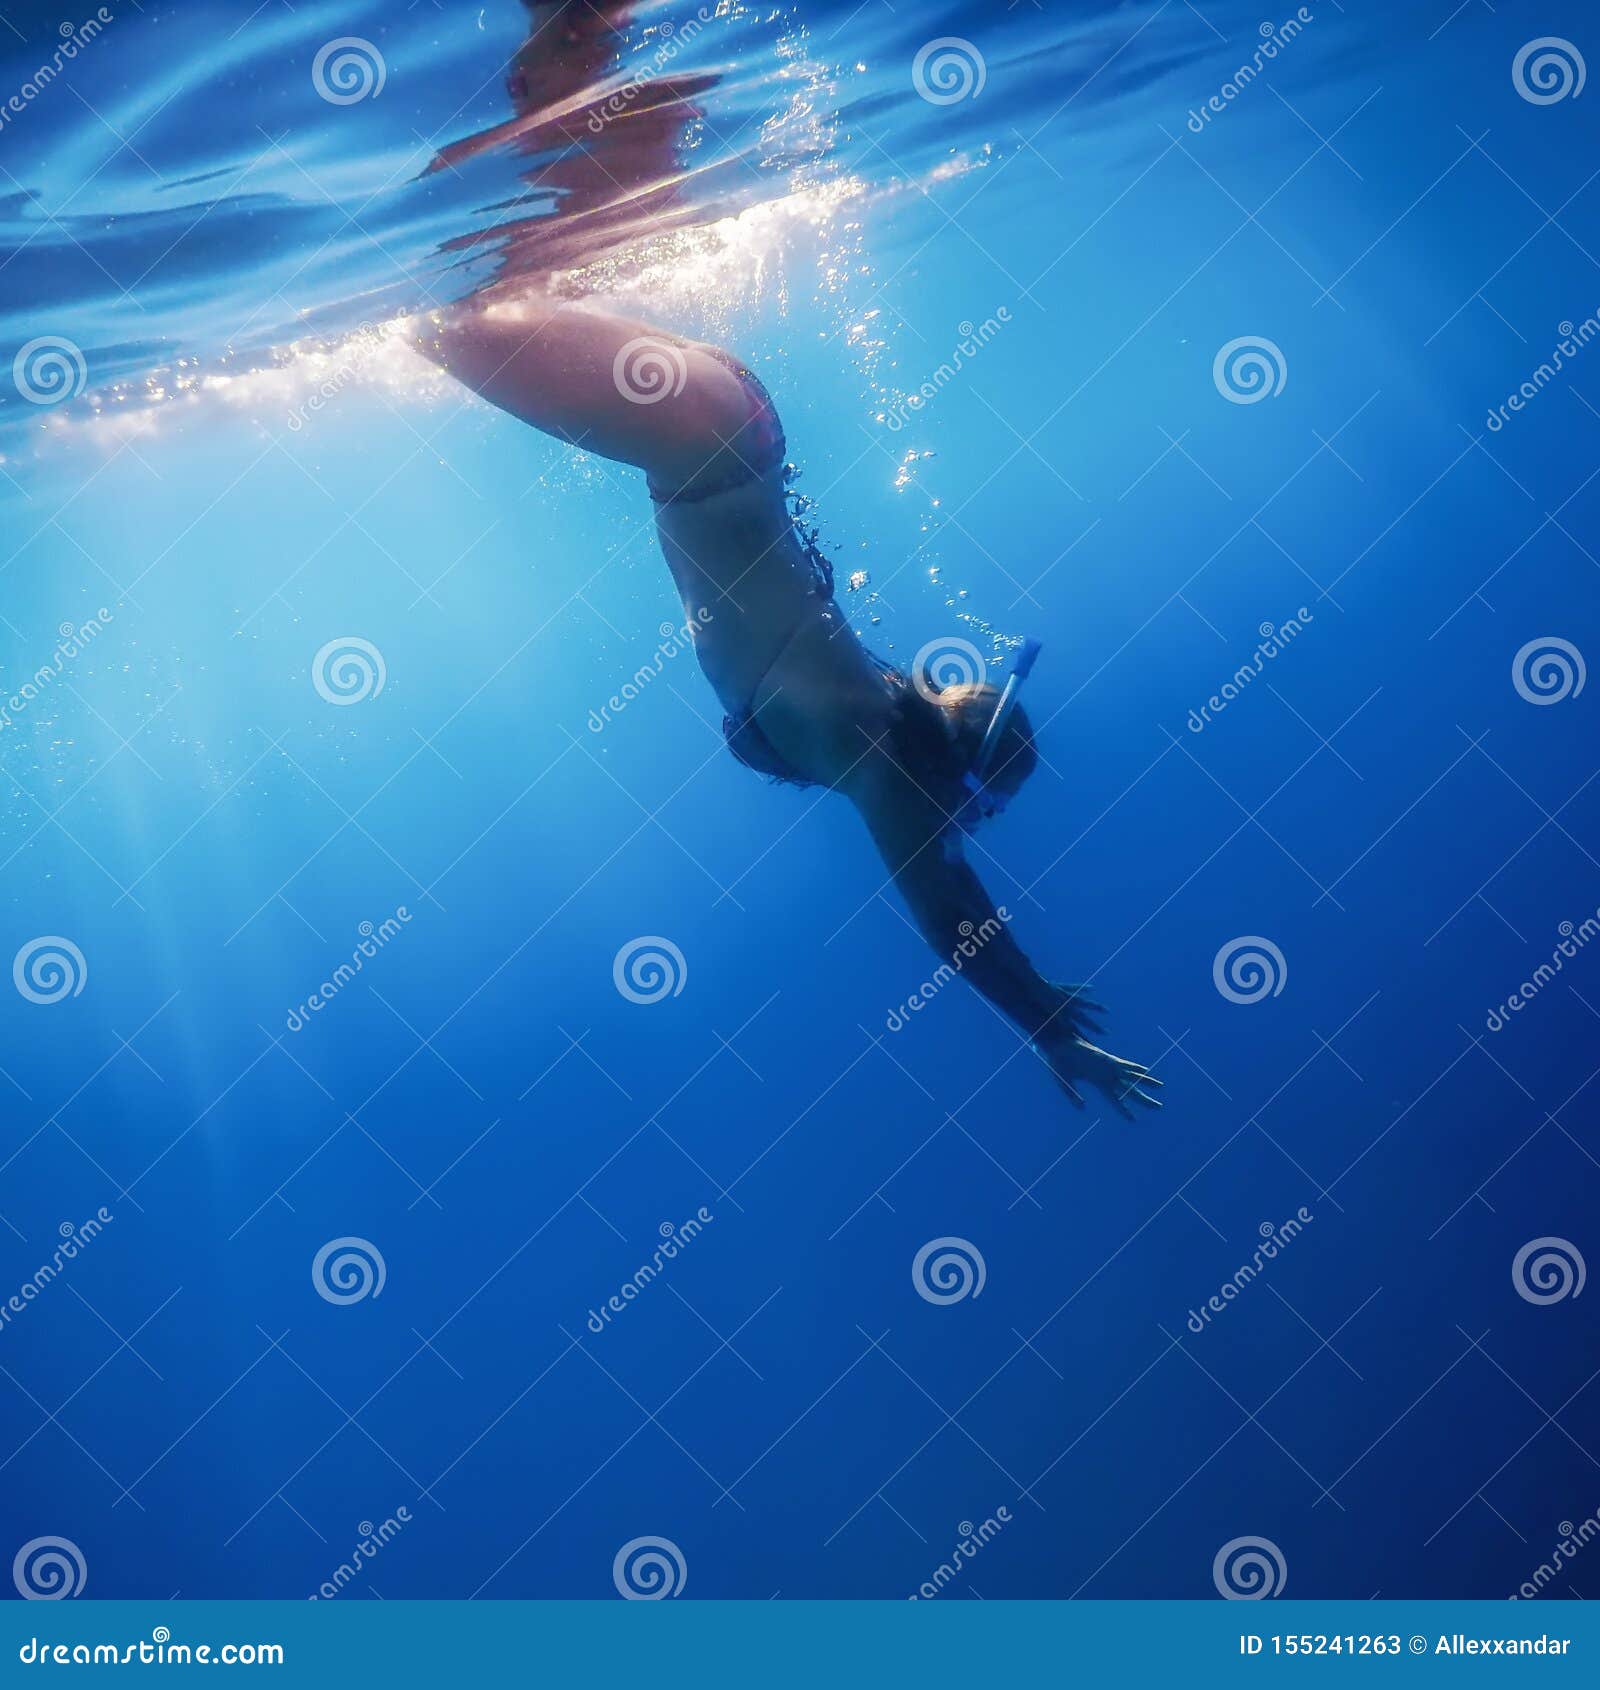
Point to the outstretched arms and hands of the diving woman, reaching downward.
(923, 853)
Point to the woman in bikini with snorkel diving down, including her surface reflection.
(805, 701)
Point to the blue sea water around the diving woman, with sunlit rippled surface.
(504, 1128)
